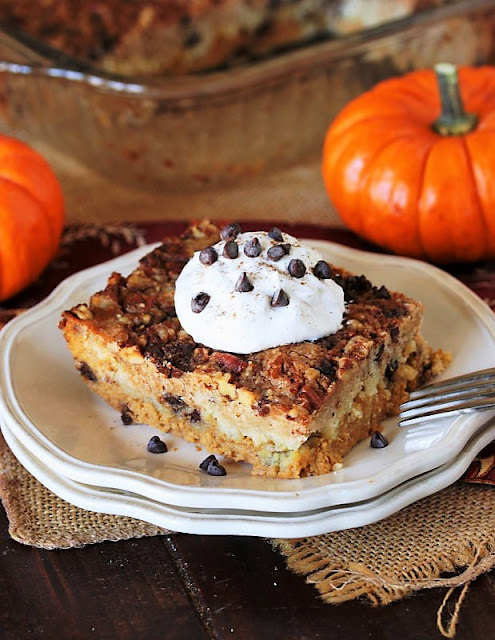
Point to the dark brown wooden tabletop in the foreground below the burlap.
(186, 586)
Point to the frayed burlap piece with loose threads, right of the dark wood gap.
(451, 532)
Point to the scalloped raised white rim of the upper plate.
(291, 494)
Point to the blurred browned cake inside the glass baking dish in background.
(150, 37)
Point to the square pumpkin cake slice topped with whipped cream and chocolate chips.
(291, 402)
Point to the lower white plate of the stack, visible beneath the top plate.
(249, 523)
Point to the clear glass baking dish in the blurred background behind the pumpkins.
(190, 132)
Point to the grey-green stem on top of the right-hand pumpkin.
(453, 120)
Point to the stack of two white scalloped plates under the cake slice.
(78, 447)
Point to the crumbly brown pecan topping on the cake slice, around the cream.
(138, 311)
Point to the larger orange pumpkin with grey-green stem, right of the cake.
(410, 164)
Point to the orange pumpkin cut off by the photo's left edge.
(31, 215)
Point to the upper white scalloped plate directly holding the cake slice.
(83, 439)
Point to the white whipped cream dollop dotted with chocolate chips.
(257, 290)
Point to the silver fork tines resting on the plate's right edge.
(470, 392)
